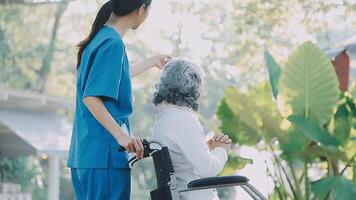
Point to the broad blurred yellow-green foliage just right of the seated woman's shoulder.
(248, 112)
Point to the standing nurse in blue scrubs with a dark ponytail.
(104, 104)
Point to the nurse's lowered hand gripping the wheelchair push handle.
(132, 145)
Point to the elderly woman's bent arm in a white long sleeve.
(190, 138)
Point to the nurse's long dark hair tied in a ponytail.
(116, 7)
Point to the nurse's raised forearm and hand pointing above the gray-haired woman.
(156, 61)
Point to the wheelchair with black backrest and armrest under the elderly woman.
(167, 188)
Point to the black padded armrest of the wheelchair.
(217, 182)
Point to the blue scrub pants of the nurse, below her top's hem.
(102, 184)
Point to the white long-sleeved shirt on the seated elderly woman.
(180, 130)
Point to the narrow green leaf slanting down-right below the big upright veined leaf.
(313, 131)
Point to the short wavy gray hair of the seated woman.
(180, 84)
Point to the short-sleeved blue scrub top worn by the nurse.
(104, 72)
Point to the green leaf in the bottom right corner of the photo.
(337, 186)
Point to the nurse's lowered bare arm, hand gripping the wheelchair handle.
(99, 111)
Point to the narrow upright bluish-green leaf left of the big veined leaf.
(274, 72)
